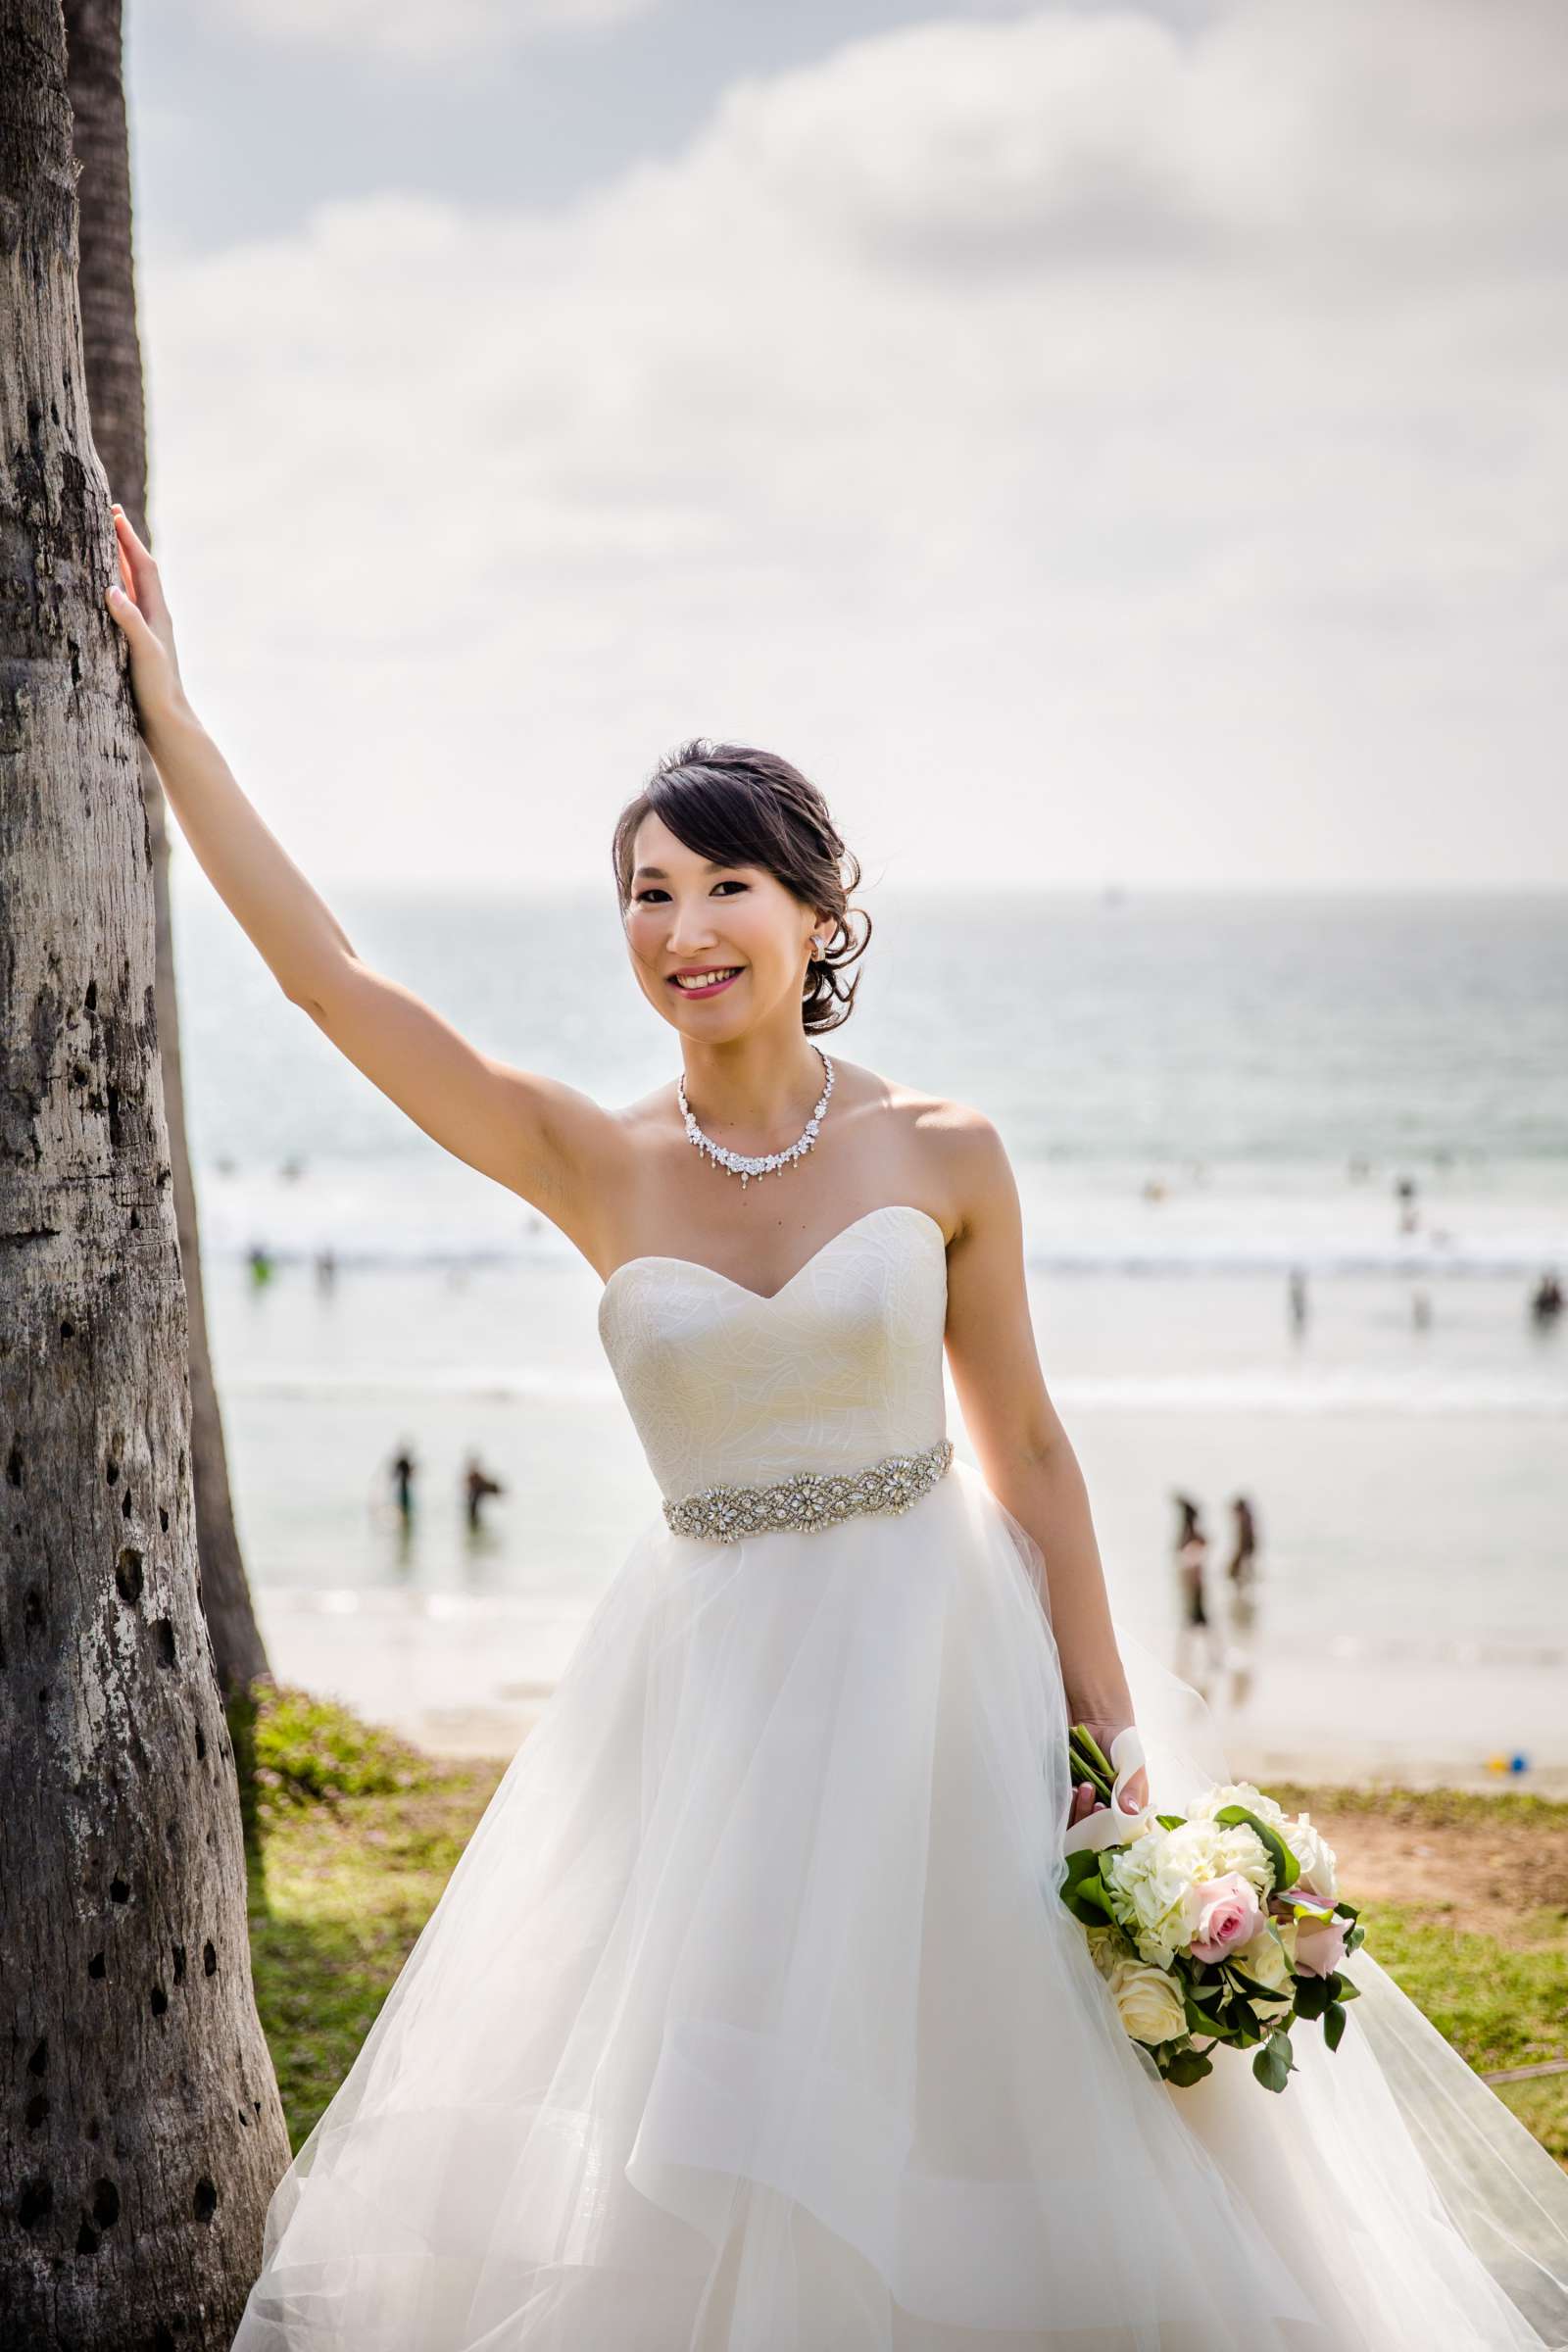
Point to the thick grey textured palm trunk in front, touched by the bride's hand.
(142, 2123)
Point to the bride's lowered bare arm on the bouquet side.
(1021, 1445)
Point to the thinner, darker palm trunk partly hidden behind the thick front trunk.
(112, 349)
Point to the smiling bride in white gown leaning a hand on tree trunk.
(751, 2017)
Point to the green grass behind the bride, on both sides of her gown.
(361, 1836)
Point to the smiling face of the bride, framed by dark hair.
(692, 918)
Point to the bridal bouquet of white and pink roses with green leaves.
(1221, 1925)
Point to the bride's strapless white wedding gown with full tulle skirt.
(751, 2017)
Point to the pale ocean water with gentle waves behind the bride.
(1200, 1097)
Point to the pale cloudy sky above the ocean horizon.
(1097, 443)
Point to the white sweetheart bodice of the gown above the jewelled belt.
(836, 1370)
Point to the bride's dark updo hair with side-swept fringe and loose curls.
(751, 808)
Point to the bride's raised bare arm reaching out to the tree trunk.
(532, 1135)
